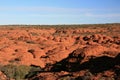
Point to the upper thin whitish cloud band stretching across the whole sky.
(42, 8)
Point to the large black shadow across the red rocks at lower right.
(95, 65)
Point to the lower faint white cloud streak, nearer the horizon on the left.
(42, 16)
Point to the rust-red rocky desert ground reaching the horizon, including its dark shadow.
(73, 52)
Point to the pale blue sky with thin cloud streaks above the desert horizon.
(59, 11)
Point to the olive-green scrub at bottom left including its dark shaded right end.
(19, 72)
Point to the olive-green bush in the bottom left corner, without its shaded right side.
(15, 72)
